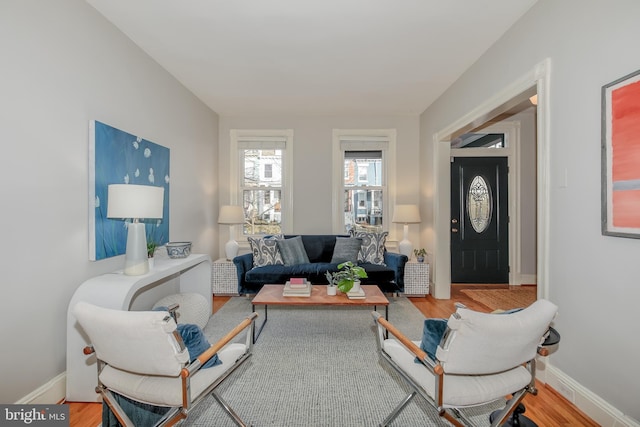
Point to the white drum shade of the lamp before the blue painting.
(134, 201)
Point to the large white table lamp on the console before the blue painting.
(135, 202)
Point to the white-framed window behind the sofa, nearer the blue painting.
(262, 185)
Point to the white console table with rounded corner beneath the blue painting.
(118, 291)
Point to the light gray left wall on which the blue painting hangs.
(62, 66)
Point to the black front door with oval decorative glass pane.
(479, 220)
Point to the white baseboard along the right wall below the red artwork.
(592, 405)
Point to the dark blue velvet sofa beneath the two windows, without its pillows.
(319, 248)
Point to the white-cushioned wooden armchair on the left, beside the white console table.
(142, 361)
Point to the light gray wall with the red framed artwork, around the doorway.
(592, 278)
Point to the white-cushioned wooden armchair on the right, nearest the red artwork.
(481, 358)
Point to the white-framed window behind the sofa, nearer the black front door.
(363, 159)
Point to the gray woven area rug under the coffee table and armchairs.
(315, 366)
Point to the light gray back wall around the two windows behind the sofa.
(312, 169)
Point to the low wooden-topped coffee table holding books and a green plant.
(272, 295)
